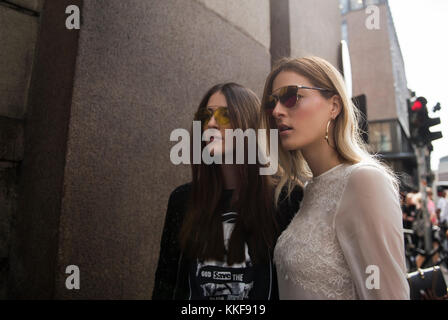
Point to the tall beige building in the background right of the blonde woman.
(378, 72)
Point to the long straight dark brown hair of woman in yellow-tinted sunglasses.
(201, 235)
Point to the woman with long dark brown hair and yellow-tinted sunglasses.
(220, 229)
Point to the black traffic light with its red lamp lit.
(420, 122)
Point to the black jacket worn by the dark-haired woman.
(171, 278)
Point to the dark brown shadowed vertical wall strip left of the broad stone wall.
(34, 236)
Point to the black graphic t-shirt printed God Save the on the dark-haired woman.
(216, 280)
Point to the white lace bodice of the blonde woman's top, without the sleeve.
(308, 252)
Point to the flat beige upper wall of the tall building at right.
(372, 70)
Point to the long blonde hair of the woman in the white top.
(293, 168)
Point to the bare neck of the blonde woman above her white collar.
(320, 157)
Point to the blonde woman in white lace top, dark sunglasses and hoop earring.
(346, 241)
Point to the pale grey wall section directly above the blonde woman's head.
(315, 29)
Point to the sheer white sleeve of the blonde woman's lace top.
(369, 229)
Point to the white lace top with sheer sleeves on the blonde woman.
(350, 218)
